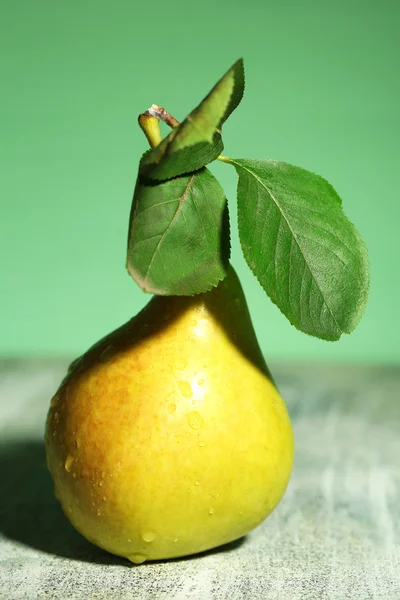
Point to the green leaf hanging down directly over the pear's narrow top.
(179, 235)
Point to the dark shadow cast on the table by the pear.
(31, 515)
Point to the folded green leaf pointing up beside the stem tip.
(197, 140)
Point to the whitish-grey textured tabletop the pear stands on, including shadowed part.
(336, 534)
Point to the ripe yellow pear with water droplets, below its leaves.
(169, 436)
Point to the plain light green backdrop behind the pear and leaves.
(322, 93)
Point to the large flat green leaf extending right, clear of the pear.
(304, 251)
